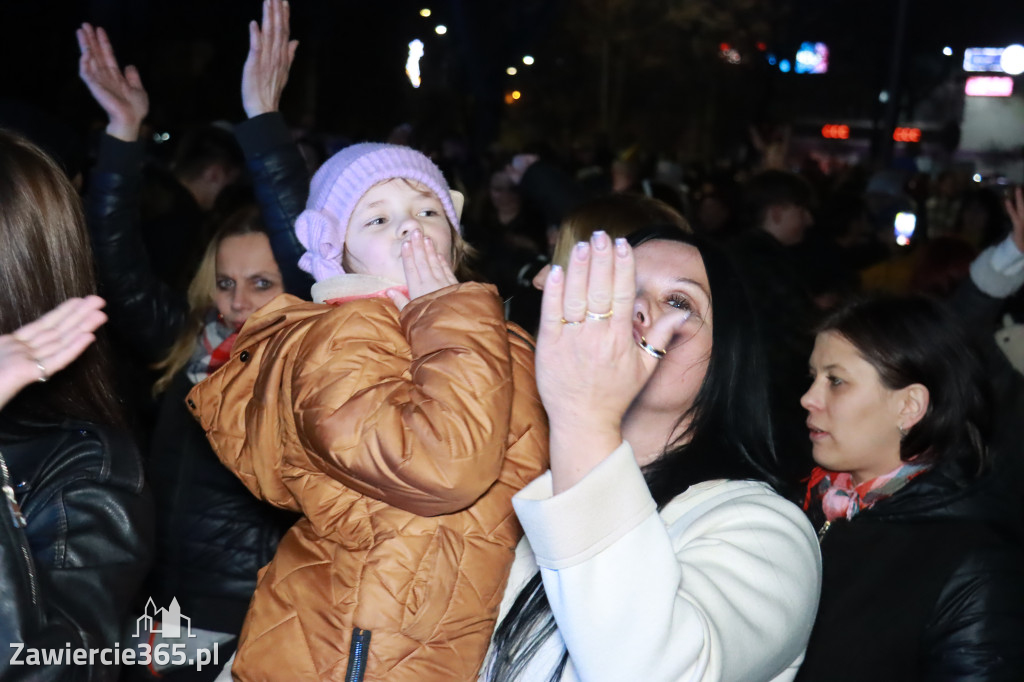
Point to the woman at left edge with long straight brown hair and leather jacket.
(80, 542)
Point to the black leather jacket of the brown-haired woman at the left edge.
(70, 572)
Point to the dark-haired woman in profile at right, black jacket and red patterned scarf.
(922, 570)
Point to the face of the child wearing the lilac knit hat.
(386, 218)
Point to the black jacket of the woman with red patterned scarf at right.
(927, 585)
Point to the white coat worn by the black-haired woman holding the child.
(722, 585)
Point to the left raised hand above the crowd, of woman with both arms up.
(120, 95)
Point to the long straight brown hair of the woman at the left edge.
(46, 260)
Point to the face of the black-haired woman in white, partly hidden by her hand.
(671, 277)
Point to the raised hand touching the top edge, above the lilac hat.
(271, 56)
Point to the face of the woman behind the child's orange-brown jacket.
(247, 278)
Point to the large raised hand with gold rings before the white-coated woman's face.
(590, 364)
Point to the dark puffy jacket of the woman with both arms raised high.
(214, 535)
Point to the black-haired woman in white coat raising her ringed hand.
(657, 548)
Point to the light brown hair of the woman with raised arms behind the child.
(245, 221)
